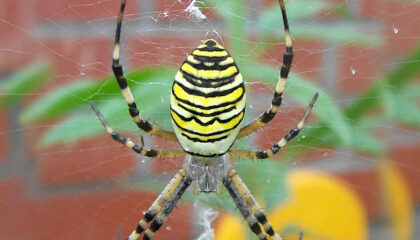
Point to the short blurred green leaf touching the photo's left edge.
(24, 82)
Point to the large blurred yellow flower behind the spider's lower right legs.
(320, 206)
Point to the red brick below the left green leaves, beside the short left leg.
(90, 160)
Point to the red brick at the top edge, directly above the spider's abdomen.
(174, 10)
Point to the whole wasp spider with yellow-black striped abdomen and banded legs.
(207, 108)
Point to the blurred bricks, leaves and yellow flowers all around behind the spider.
(353, 173)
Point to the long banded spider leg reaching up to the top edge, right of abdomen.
(284, 72)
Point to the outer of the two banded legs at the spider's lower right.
(252, 205)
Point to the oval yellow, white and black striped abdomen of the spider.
(207, 101)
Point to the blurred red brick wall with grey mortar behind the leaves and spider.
(74, 191)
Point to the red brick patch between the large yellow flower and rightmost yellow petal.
(366, 182)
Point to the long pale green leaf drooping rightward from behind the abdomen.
(334, 130)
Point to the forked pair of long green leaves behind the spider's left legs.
(151, 90)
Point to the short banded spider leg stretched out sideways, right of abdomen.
(263, 154)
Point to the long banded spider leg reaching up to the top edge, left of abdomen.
(126, 92)
